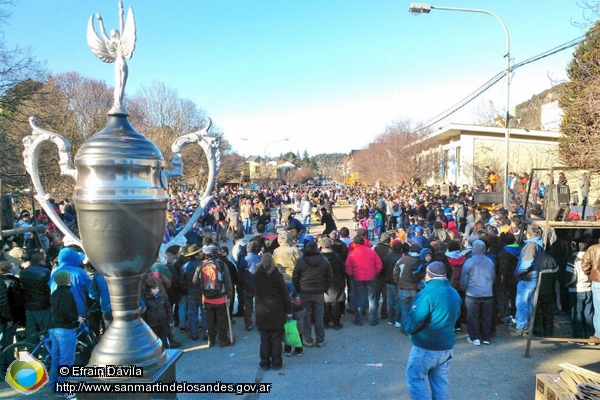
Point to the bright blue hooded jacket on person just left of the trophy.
(69, 260)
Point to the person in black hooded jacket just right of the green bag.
(312, 277)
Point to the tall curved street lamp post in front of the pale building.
(423, 8)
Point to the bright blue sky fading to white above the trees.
(329, 75)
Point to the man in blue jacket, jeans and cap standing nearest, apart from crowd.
(430, 325)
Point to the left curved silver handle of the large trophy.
(31, 156)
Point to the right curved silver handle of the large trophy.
(210, 145)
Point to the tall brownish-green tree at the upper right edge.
(580, 124)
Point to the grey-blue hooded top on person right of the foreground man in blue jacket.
(478, 273)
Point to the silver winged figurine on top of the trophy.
(115, 48)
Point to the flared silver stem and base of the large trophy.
(128, 340)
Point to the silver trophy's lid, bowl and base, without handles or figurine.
(121, 207)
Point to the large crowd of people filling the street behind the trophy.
(415, 254)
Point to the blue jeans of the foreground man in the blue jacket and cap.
(428, 364)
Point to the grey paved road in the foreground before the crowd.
(343, 368)
